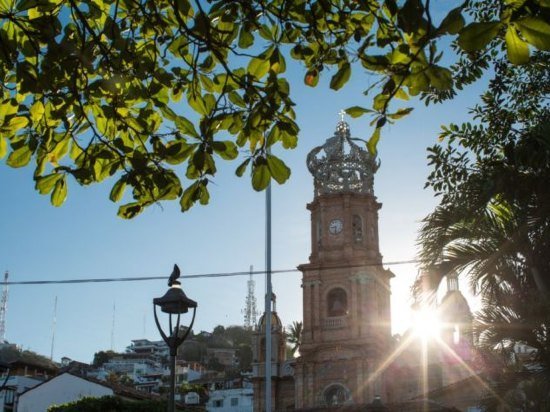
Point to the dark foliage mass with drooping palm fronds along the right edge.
(493, 222)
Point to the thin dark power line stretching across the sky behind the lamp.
(198, 276)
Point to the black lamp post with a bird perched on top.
(174, 302)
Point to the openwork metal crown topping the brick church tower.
(341, 165)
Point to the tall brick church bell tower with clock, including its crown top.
(346, 291)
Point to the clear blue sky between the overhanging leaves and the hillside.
(85, 239)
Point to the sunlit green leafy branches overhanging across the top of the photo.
(152, 95)
